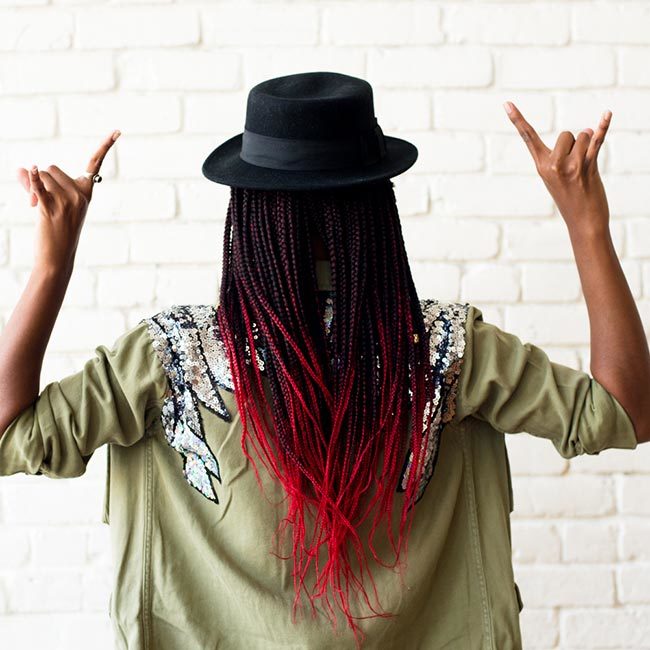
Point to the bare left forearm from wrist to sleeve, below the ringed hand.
(24, 340)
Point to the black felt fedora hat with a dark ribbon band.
(311, 130)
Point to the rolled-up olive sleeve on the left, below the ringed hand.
(114, 398)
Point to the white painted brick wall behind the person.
(478, 223)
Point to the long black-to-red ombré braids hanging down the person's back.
(335, 419)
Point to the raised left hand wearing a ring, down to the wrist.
(63, 202)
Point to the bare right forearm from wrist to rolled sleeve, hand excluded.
(620, 360)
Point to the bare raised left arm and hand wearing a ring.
(63, 202)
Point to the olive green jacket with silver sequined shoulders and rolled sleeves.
(191, 533)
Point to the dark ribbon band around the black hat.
(305, 155)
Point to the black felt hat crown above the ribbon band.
(310, 105)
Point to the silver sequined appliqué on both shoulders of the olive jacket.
(187, 342)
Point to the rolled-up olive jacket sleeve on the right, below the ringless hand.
(515, 387)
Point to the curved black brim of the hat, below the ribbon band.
(224, 166)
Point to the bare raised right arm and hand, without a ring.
(620, 360)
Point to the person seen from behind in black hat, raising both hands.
(378, 415)
